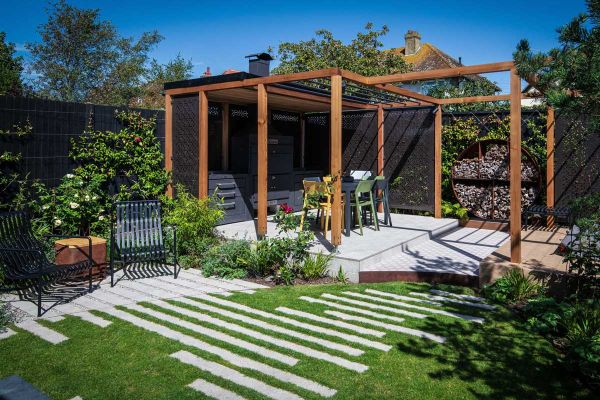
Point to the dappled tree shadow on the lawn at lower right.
(511, 362)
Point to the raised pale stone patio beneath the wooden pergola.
(414, 248)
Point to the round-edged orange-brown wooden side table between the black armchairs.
(74, 250)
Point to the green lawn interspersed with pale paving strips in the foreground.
(499, 359)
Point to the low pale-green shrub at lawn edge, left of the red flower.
(228, 260)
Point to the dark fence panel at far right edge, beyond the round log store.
(576, 160)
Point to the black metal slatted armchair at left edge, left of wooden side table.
(24, 262)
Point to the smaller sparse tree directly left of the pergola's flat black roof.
(156, 76)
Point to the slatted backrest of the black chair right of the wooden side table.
(138, 232)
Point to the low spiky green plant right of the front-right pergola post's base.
(514, 287)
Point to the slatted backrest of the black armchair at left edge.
(16, 233)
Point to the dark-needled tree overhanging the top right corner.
(569, 75)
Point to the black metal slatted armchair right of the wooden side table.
(137, 237)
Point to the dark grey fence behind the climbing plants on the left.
(45, 152)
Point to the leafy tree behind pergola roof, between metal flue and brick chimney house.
(363, 55)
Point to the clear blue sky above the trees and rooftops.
(220, 33)
